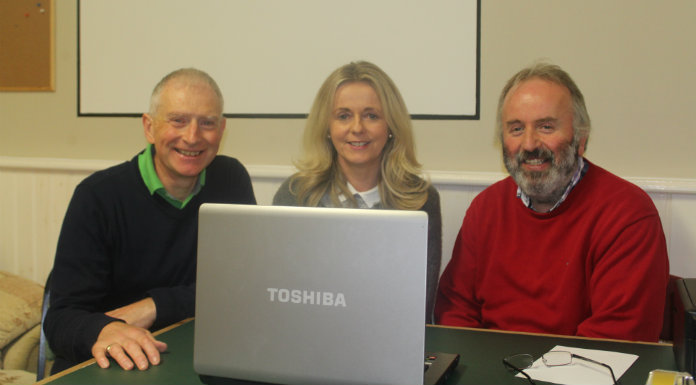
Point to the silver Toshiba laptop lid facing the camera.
(296, 295)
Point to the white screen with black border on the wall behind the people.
(270, 56)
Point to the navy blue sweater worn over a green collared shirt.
(119, 244)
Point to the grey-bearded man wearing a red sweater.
(561, 246)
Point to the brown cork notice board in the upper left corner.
(26, 45)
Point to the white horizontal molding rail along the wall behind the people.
(468, 178)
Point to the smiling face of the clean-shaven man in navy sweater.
(185, 130)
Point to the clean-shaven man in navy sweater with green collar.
(126, 256)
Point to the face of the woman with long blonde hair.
(358, 128)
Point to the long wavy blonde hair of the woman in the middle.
(400, 184)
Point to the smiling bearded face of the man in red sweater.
(539, 147)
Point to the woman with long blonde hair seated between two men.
(359, 152)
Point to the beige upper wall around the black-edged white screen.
(634, 60)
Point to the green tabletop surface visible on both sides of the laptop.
(481, 354)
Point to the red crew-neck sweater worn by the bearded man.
(595, 266)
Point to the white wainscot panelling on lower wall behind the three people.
(35, 194)
